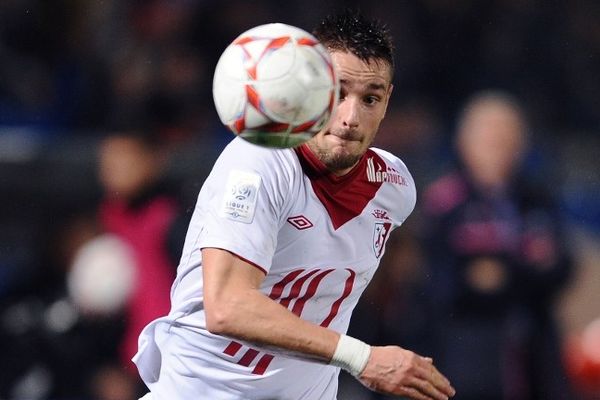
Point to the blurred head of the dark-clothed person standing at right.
(491, 137)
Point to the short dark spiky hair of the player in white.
(351, 31)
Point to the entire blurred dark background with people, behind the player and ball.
(107, 130)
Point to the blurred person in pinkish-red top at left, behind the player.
(142, 209)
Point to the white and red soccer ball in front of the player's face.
(275, 85)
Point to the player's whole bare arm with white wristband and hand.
(236, 308)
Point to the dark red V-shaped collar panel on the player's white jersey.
(344, 197)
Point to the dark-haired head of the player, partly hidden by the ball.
(362, 52)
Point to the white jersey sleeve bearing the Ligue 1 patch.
(242, 201)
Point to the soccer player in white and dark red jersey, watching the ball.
(280, 247)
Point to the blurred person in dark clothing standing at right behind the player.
(498, 260)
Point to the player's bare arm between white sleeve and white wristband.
(235, 308)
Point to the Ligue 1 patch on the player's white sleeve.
(241, 195)
